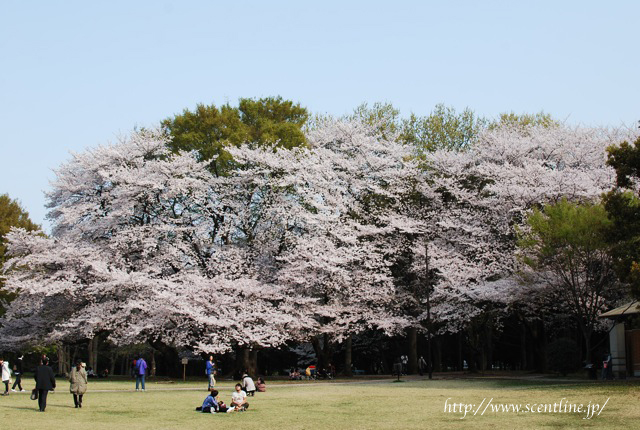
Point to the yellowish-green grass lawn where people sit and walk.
(416, 404)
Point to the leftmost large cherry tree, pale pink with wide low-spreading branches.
(141, 251)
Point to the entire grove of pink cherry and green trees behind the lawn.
(276, 239)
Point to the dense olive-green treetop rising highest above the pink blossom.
(209, 129)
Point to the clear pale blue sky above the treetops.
(75, 74)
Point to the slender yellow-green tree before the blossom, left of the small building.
(566, 244)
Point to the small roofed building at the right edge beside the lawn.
(624, 339)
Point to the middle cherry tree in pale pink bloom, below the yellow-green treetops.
(340, 200)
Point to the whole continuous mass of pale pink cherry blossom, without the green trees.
(313, 243)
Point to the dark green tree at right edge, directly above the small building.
(623, 206)
